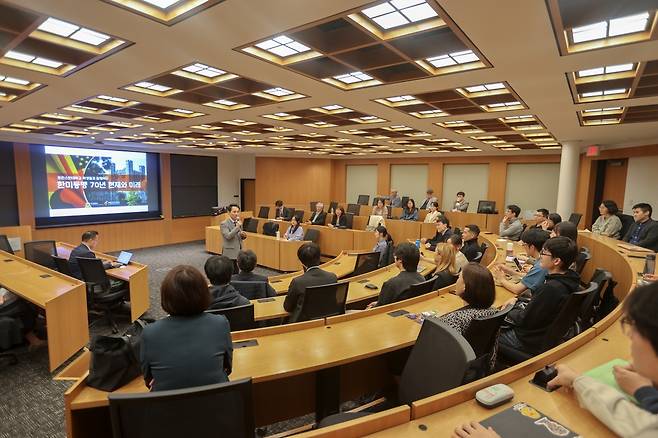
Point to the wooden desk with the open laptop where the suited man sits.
(135, 274)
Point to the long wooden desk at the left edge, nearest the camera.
(63, 298)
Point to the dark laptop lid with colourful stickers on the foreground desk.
(524, 421)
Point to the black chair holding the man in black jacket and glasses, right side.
(557, 331)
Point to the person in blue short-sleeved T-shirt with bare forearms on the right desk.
(533, 241)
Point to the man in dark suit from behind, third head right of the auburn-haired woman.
(309, 256)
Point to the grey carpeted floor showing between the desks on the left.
(31, 403)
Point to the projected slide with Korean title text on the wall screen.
(91, 181)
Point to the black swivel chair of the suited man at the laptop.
(100, 294)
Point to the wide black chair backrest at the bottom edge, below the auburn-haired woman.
(224, 409)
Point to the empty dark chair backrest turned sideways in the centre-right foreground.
(427, 372)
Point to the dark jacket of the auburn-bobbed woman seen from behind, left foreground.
(185, 351)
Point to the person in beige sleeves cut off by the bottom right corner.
(639, 380)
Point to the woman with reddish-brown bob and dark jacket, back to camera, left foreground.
(189, 347)
